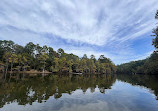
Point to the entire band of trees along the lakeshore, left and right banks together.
(32, 58)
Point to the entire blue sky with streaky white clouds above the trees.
(118, 29)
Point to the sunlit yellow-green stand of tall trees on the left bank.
(14, 57)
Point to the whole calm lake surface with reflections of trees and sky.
(80, 93)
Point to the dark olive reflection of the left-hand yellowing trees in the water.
(30, 89)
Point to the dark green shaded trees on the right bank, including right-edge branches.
(146, 66)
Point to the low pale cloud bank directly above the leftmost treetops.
(22, 37)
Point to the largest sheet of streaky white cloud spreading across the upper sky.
(85, 20)
